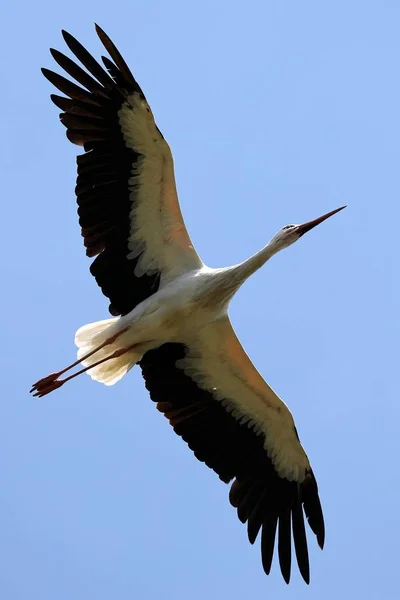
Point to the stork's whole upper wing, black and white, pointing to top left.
(127, 201)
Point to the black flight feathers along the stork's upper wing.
(104, 200)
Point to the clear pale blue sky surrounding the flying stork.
(276, 112)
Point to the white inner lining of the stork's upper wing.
(157, 227)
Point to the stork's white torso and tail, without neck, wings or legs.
(173, 313)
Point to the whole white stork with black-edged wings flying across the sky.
(170, 311)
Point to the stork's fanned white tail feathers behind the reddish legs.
(91, 336)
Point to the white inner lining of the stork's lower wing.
(217, 362)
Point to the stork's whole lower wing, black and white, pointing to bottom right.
(220, 405)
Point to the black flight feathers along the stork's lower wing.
(262, 498)
